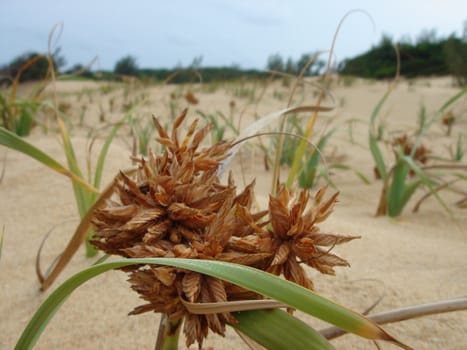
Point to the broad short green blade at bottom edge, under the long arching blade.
(277, 329)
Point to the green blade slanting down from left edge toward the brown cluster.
(10, 140)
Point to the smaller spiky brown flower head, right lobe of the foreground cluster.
(296, 238)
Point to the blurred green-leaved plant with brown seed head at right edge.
(409, 171)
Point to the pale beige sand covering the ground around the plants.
(416, 258)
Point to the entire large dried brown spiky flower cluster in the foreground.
(176, 206)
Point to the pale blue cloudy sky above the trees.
(166, 34)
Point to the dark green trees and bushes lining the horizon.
(427, 56)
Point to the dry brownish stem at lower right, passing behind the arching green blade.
(407, 313)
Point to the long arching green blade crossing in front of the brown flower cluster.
(256, 280)
